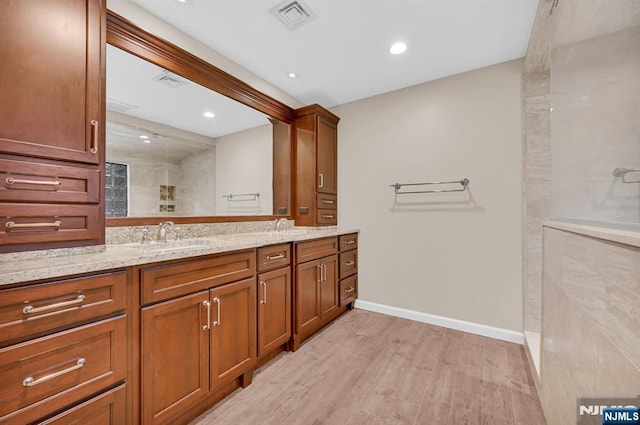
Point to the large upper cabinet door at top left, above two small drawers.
(51, 79)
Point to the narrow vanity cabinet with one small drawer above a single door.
(274, 298)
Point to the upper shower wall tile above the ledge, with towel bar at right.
(595, 128)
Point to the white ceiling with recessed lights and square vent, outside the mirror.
(343, 54)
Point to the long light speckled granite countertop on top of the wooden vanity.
(53, 263)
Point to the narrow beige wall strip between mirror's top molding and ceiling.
(157, 26)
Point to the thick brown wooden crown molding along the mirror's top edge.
(129, 37)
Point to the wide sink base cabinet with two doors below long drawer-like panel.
(194, 343)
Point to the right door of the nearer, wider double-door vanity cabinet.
(233, 330)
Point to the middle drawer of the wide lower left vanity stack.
(44, 375)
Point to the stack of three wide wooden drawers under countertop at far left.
(63, 354)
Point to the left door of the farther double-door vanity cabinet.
(308, 296)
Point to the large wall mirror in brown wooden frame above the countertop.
(186, 141)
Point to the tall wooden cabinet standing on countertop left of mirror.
(52, 123)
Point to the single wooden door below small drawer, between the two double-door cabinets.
(274, 309)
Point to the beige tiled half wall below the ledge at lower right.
(591, 322)
